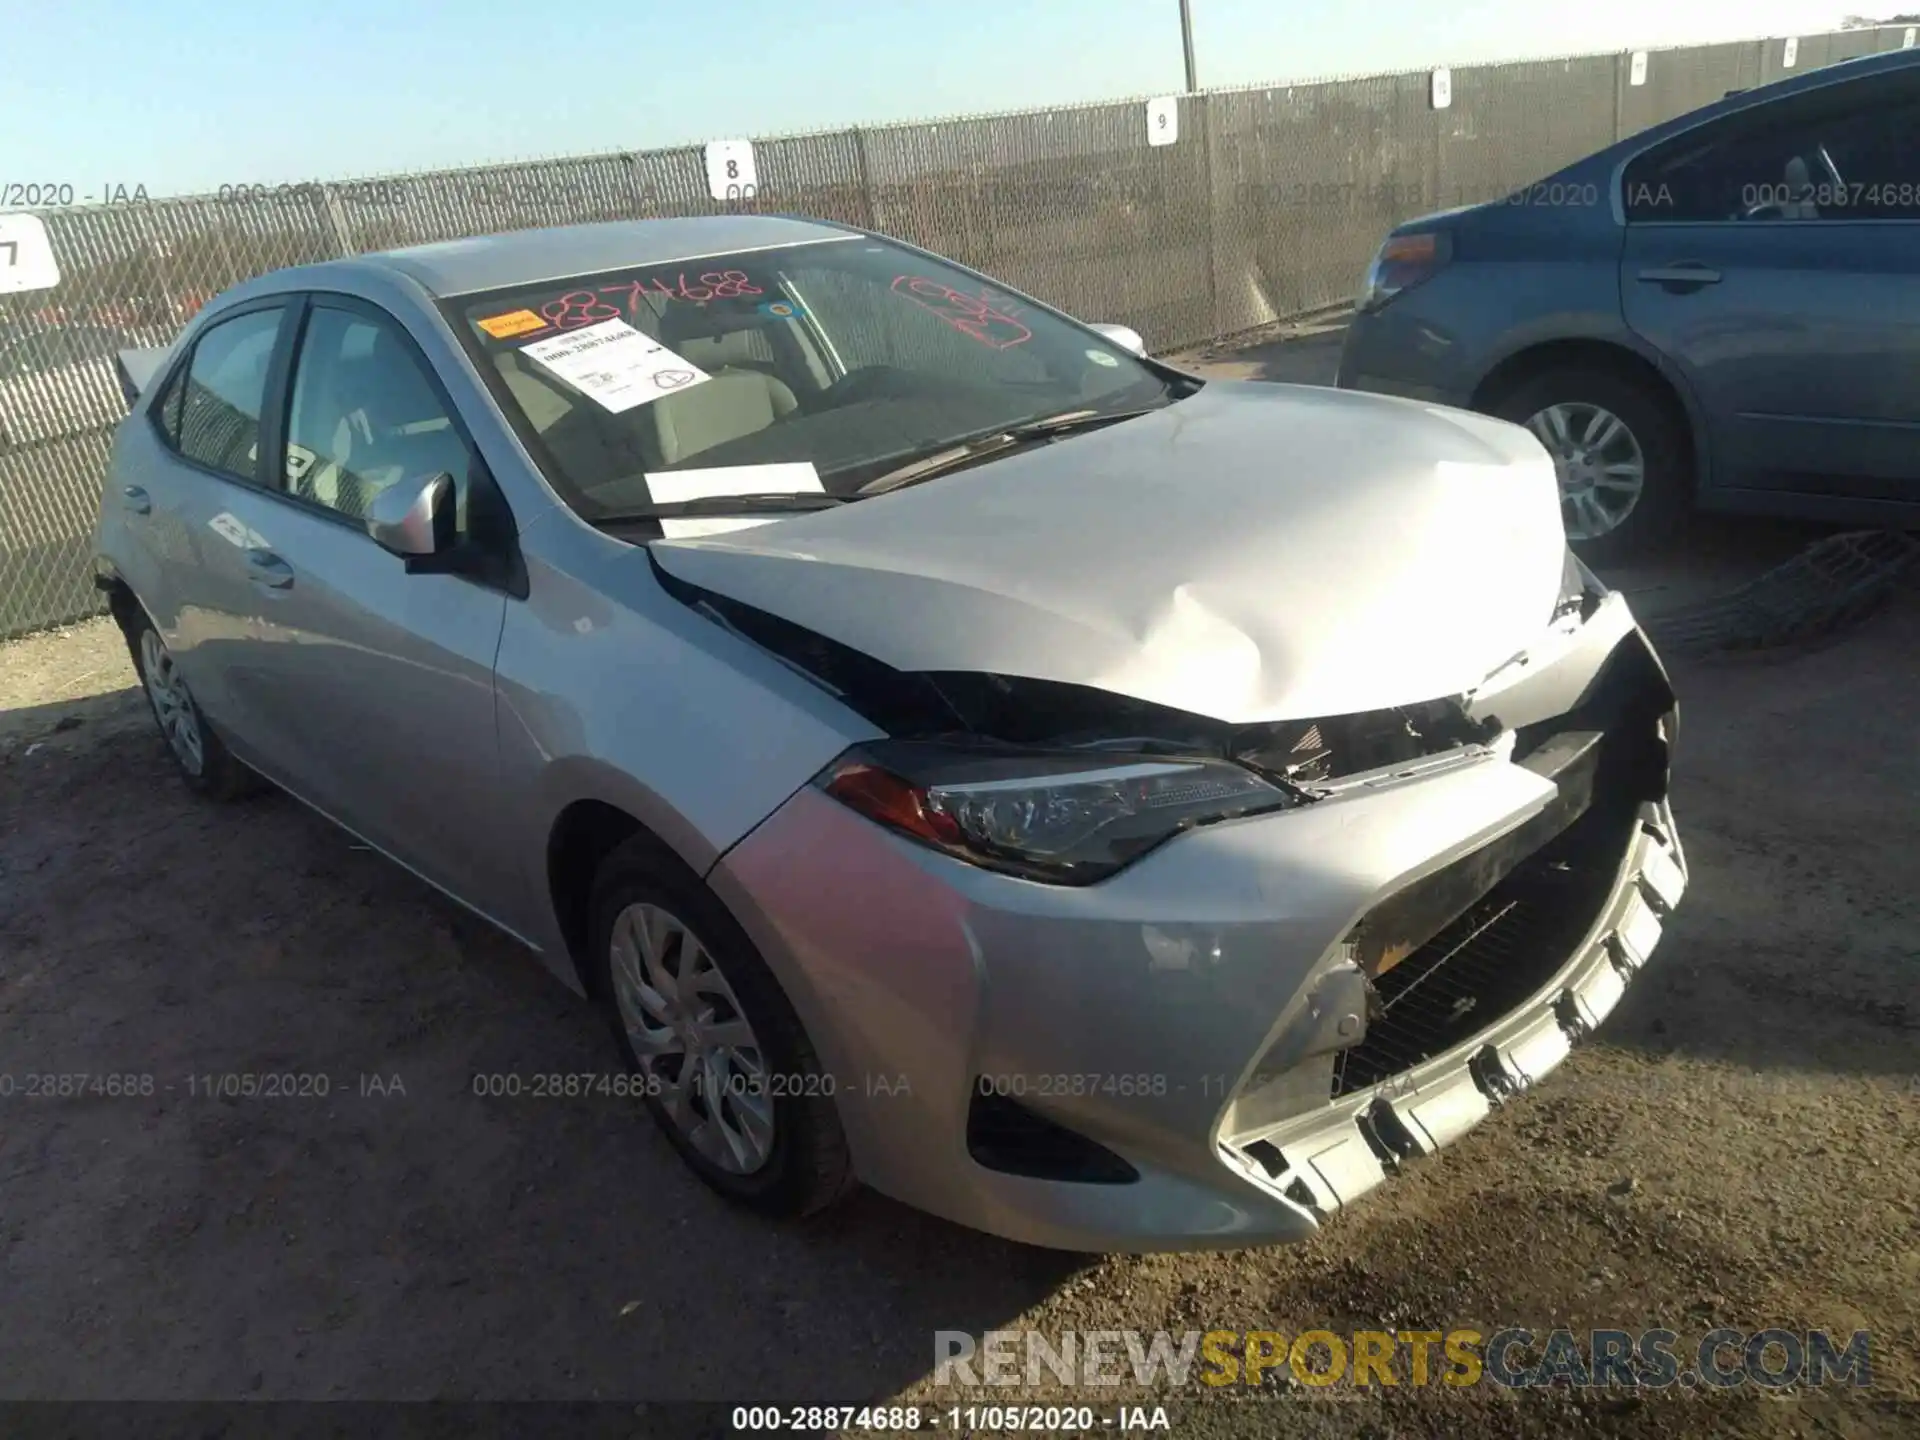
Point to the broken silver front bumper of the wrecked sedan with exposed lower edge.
(1188, 1055)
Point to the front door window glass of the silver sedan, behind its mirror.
(364, 416)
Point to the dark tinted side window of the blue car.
(1840, 155)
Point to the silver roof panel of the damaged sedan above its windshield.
(492, 262)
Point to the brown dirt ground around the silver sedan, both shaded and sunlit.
(1740, 1145)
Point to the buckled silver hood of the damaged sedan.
(1249, 554)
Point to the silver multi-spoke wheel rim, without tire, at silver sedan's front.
(692, 1040)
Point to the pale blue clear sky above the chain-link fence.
(191, 97)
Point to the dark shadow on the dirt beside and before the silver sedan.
(306, 1182)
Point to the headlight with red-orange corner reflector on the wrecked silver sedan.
(1045, 815)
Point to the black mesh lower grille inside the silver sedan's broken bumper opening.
(1495, 957)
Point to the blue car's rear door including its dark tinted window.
(1775, 258)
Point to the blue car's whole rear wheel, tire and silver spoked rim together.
(1621, 454)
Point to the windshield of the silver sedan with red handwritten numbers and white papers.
(798, 370)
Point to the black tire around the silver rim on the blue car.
(1652, 431)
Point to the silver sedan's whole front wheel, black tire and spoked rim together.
(696, 1011)
